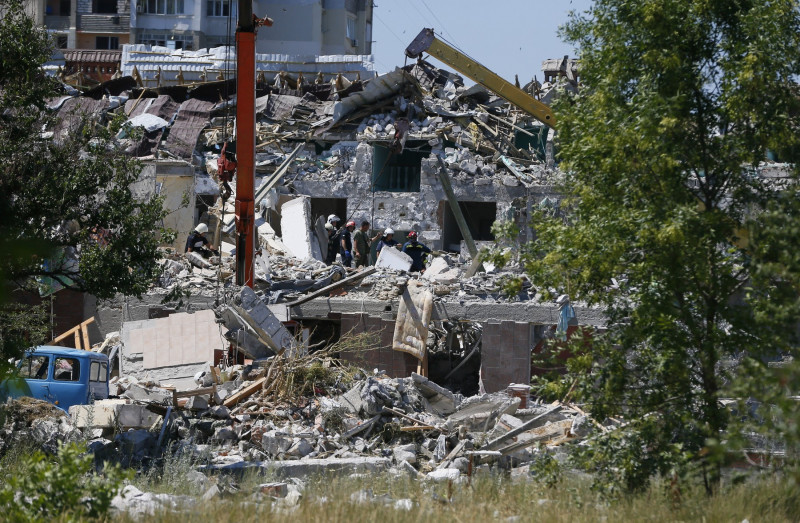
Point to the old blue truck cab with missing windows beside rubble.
(60, 375)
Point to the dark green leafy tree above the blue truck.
(67, 211)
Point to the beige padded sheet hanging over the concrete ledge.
(413, 317)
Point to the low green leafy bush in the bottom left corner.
(43, 490)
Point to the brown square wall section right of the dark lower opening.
(505, 354)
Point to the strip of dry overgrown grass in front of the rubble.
(494, 498)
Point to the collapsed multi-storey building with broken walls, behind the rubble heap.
(399, 150)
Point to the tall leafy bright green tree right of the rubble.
(680, 102)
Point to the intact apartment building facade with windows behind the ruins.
(302, 27)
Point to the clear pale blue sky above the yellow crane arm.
(507, 36)
